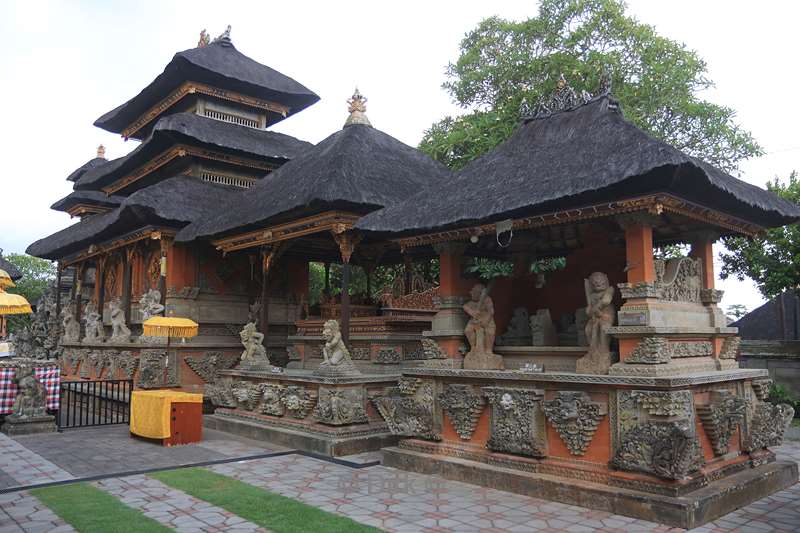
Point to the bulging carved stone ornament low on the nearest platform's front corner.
(665, 449)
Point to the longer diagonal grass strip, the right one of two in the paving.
(272, 511)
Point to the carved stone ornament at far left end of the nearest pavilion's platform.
(409, 409)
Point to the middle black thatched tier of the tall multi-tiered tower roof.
(199, 131)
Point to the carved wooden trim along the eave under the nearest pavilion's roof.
(651, 205)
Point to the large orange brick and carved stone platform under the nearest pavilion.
(681, 450)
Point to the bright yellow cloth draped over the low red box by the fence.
(150, 411)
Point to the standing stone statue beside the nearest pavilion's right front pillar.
(600, 313)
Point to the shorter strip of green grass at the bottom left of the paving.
(89, 510)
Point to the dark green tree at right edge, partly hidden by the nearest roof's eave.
(771, 259)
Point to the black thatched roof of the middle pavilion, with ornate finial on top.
(358, 168)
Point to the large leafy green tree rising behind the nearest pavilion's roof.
(505, 67)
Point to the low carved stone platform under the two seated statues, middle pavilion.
(329, 415)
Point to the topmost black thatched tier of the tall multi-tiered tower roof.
(218, 64)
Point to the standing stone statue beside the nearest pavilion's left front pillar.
(480, 331)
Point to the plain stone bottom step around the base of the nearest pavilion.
(716, 498)
